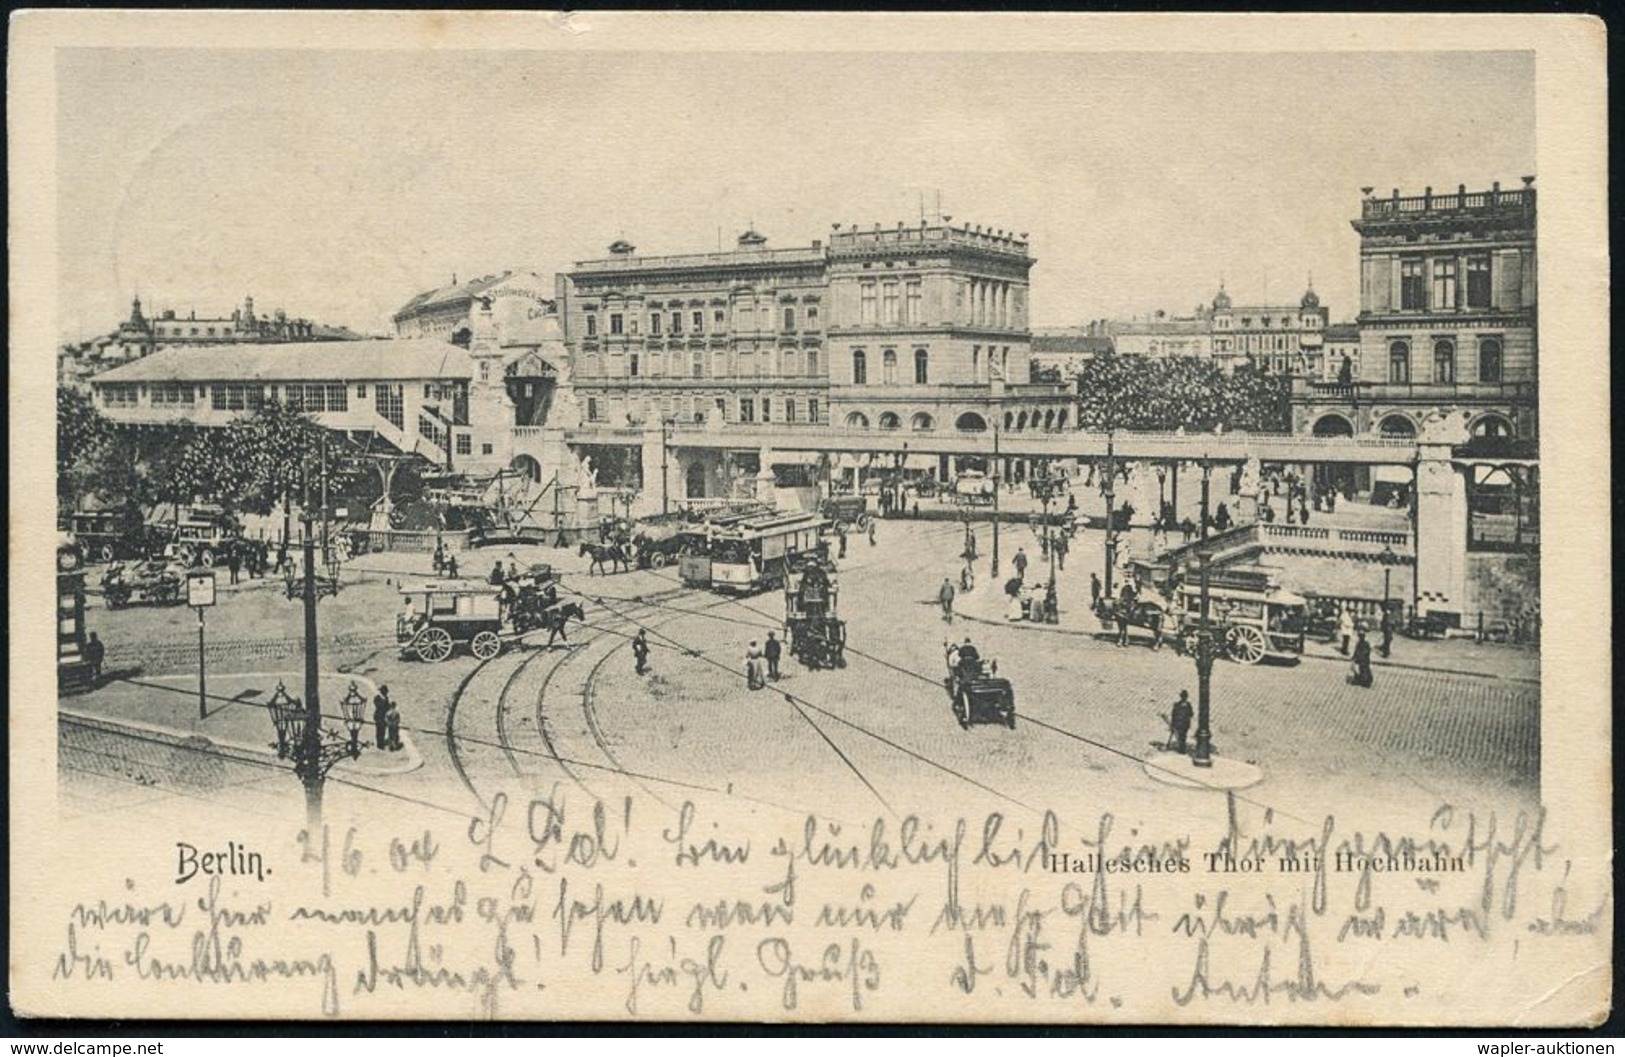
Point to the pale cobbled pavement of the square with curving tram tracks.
(882, 734)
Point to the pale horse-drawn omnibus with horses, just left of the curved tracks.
(480, 617)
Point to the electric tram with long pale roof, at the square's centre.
(755, 552)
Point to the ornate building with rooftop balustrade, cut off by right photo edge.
(1447, 320)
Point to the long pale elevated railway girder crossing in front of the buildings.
(1073, 445)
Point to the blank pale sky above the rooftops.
(339, 185)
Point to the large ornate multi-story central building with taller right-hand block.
(885, 329)
